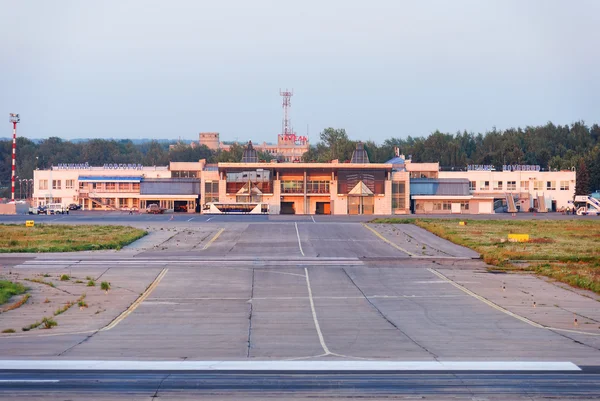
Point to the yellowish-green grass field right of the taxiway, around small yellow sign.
(565, 250)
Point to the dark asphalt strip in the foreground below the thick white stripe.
(428, 385)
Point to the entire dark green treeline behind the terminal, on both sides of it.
(550, 146)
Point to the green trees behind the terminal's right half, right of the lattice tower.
(549, 146)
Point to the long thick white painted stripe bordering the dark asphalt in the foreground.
(91, 365)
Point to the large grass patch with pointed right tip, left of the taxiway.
(59, 238)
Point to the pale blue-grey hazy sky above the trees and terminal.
(379, 68)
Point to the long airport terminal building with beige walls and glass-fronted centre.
(357, 187)
